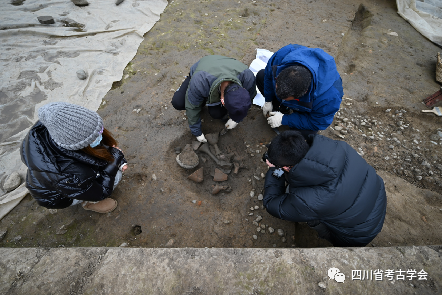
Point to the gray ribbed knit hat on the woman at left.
(71, 126)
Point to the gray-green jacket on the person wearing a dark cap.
(204, 86)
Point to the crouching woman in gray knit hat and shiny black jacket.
(72, 159)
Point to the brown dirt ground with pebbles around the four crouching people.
(385, 79)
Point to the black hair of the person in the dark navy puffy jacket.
(287, 149)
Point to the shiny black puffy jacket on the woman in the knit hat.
(56, 175)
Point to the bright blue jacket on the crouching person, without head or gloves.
(316, 109)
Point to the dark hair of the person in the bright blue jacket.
(293, 81)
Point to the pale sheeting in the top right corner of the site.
(425, 16)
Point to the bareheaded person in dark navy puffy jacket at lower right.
(330, 186)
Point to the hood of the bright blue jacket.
(321, 65)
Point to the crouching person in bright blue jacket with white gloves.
(304, 80)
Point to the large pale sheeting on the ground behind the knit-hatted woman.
(38, 63)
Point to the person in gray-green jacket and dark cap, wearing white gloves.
(223, 84)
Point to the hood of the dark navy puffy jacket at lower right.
(324, 166)
